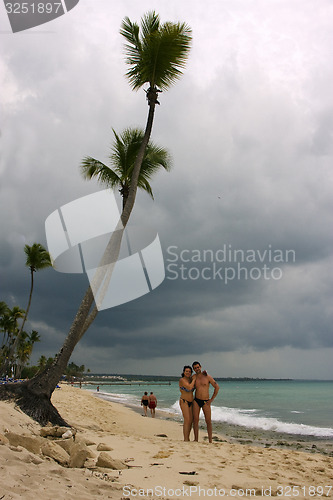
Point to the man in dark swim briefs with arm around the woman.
(202, 400)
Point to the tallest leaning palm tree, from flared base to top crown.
(156, 57)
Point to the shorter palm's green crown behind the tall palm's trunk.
(122, 158)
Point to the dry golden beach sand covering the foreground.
(160, 464)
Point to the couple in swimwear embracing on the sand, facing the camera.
(192, 404)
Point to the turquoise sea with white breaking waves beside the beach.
(291, 406)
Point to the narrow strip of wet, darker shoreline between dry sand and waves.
(223, 432)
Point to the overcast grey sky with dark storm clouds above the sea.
(249, 127)
